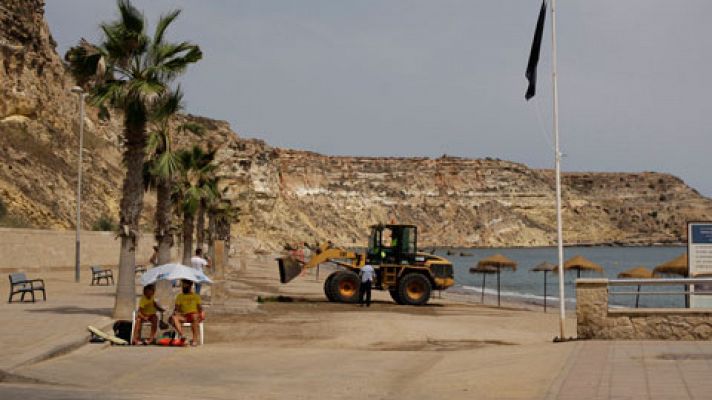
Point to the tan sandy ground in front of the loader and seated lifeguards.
(309, 348)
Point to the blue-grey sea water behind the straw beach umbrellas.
(527, 286)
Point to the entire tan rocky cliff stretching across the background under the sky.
(289, 196)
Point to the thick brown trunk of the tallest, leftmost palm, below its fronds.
(131, 206)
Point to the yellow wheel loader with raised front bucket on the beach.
(408, 275)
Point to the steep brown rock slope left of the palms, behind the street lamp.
(39, 129)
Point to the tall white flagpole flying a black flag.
(557, 157)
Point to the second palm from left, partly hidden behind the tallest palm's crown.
(162, 166)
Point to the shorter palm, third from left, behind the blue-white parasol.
(196, 171)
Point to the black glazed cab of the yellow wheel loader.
(392, 244)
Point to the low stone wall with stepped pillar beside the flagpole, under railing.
(596, 321)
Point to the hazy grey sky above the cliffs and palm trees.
(427, 78)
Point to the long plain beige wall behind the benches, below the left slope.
(38, 250)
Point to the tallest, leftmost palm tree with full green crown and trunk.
(129, 70)
